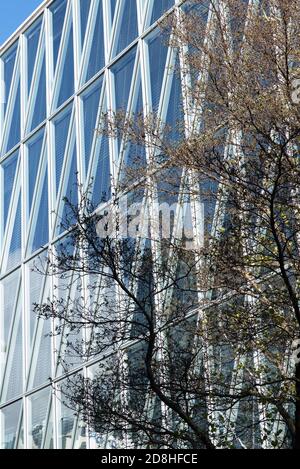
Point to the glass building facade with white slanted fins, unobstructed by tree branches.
(74, 60)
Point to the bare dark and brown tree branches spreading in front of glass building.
(194, 334)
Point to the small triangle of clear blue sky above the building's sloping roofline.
(13, 13)
